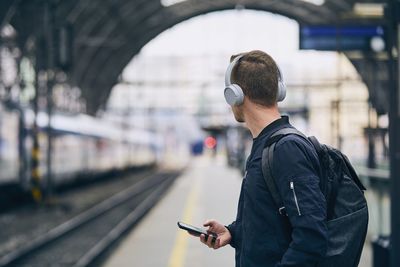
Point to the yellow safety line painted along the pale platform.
(179, 250)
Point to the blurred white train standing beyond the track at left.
(82, 146)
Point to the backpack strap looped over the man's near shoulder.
(267, 160)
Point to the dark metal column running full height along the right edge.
(394, 131)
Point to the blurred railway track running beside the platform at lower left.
(84, 239)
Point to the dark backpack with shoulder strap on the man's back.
(347, 211)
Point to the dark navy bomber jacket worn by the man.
(260, 235)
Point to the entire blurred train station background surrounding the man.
(113, 120)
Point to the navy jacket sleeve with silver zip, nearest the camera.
(296, 173)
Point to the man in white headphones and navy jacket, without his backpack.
(261, 235)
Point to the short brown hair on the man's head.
(258, 75)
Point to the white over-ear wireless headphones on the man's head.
(234, 95)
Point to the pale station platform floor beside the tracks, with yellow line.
(207, 189)
